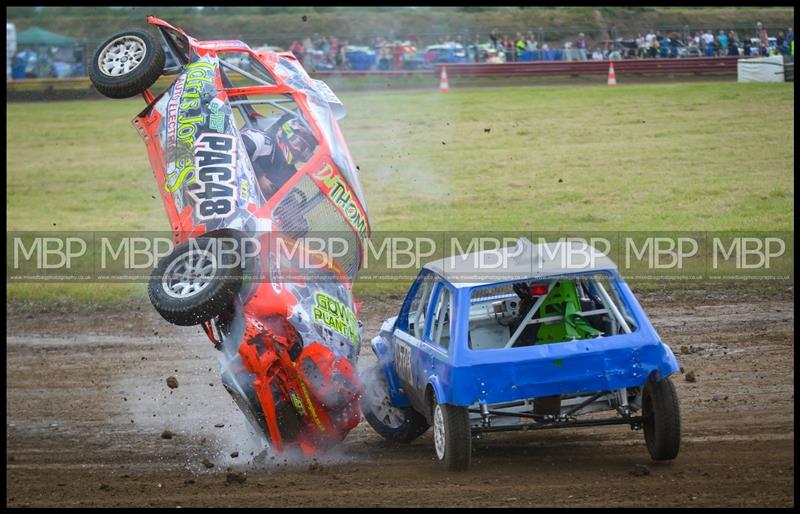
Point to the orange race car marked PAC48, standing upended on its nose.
(254, 173)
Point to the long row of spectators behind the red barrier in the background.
(328, 52)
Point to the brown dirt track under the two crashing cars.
(87, 403)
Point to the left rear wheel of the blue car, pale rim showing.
(452, 438)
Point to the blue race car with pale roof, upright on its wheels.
(546, 340)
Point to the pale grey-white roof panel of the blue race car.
(522, 261)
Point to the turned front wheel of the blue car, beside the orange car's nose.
(395, 424)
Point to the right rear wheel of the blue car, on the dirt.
(662, 419)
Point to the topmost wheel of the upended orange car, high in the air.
(126, 64)
